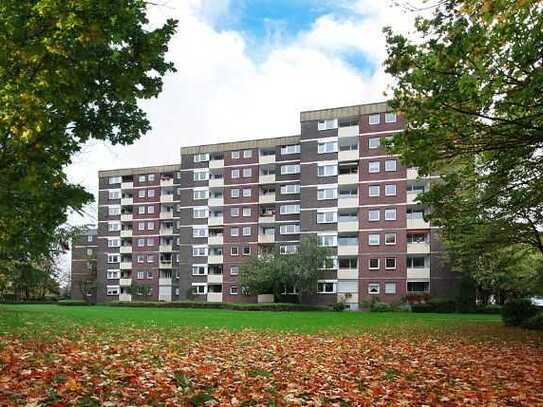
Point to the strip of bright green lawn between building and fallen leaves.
(37, 317)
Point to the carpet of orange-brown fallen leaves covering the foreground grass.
(177, 368)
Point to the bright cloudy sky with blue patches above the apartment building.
(246, 69)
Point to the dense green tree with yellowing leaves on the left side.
(70, 71)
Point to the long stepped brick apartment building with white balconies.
(183, 231)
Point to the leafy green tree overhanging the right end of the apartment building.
(471, 91)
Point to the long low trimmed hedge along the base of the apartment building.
(219, 305)
